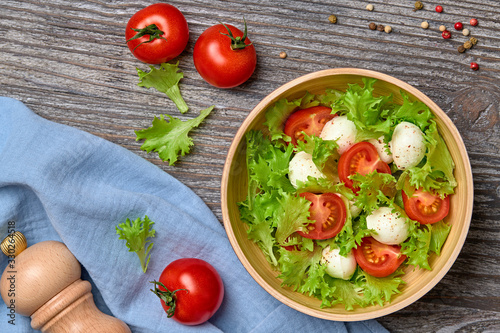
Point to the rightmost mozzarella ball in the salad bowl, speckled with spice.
(407, 145)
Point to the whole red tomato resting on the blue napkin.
(191, 290)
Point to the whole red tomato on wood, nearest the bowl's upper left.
(224, 56)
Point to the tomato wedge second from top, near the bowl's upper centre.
(361, 158)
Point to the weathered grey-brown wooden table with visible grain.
(68, 61)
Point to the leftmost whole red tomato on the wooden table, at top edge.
(157, 33)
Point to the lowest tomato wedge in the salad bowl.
(377, 259)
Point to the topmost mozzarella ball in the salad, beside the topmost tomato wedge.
(342, 130)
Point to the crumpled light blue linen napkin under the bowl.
(59, 183)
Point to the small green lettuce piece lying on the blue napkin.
(137, 234)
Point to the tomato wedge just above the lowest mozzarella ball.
(329, 213)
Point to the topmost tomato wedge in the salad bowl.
(310, 121)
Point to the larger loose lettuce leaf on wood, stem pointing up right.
(170, 138)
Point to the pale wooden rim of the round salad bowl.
(272, 97)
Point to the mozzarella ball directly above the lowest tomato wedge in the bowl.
(391, 228)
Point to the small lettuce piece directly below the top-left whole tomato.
(166, 80)
